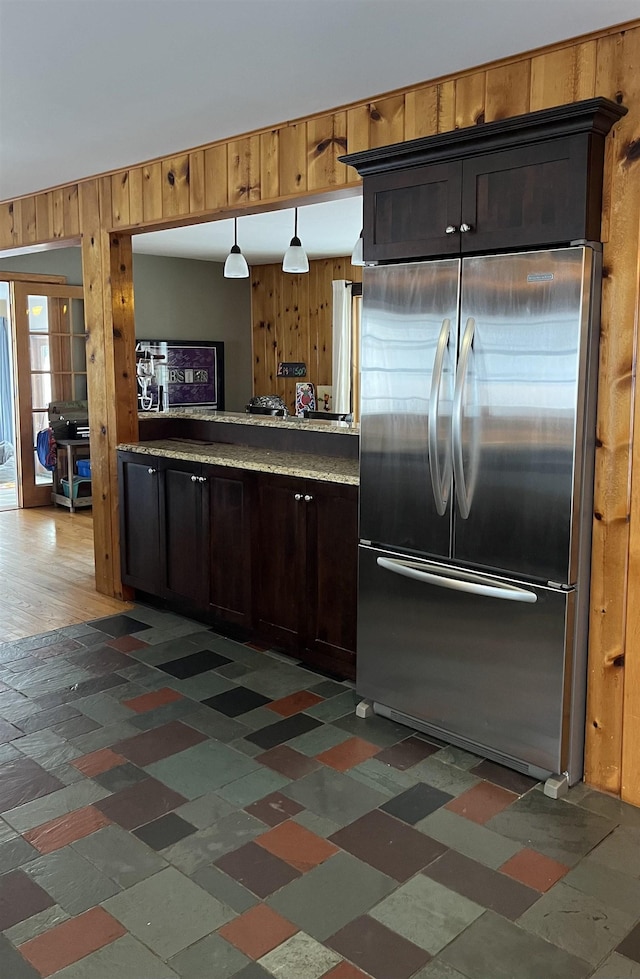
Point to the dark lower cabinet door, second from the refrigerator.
(279, 560)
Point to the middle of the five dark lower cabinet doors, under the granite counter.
(229, 545)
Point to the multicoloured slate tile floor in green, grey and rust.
(176, 804)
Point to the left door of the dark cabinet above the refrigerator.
(406, 213)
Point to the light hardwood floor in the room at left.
(46, 572)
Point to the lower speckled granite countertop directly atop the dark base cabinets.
(323, 468)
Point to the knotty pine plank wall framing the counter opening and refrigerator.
(298, 160)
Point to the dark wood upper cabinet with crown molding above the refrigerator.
(528, 181)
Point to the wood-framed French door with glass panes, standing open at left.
(50, 366)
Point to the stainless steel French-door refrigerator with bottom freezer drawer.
(477, 442)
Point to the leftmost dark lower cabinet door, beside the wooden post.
(138, 479)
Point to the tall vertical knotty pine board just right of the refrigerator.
(614, 591)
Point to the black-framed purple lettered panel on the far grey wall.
(180, 374)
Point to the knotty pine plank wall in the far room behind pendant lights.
(291, 319)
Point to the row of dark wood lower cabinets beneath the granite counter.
(272, 556)
